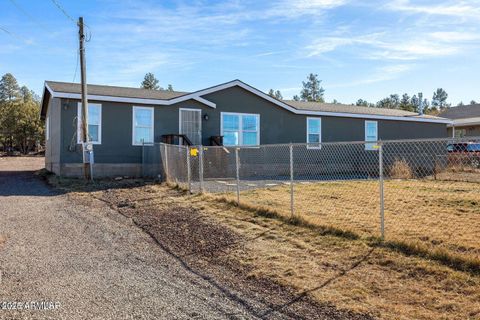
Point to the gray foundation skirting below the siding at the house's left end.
(102, 170)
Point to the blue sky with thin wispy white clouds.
(360, 49)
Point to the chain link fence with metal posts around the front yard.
(424, 193)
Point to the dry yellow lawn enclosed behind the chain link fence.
(436, 215)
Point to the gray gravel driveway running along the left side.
(90, 264)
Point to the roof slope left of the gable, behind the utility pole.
(124, 92)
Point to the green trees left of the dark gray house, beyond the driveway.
(20, 126)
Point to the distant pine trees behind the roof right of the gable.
(314, 92)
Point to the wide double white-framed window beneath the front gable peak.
(240, 129)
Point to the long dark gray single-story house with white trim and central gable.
(121, 119)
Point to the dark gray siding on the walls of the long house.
(277, 125)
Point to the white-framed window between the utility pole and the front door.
(142, 125)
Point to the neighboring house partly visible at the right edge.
(465, 120)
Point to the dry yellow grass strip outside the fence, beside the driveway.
(348, 273)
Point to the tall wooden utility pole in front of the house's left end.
(84, 120)
